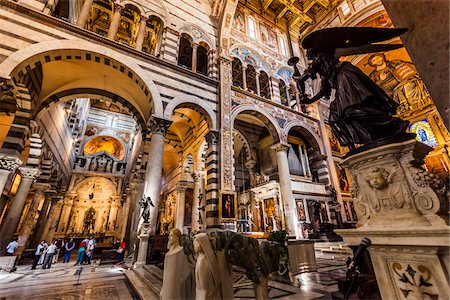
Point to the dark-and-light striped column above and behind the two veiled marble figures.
(212, 180)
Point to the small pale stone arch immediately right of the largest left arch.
(194, 103)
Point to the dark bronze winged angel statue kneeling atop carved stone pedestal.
(361, 112)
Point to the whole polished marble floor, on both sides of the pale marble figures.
(65, 281)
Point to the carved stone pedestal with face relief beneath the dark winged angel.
(398, 206)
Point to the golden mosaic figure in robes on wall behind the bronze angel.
(400, 80)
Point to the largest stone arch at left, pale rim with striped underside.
(79, 50)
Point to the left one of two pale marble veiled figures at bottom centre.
(179, 274)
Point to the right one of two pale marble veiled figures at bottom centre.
(212, 272)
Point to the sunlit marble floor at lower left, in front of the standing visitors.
(65, 281)
